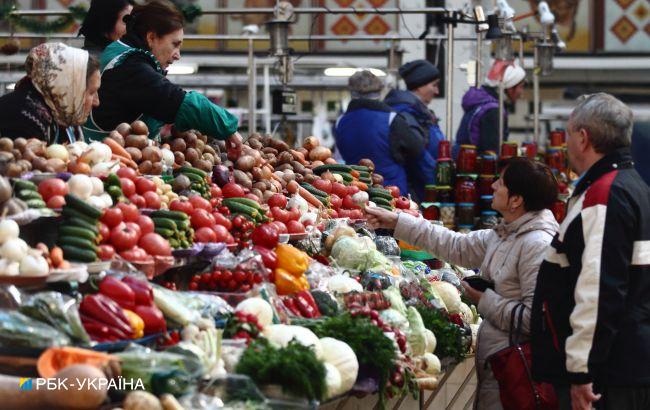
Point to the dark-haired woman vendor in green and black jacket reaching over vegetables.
(134, 85)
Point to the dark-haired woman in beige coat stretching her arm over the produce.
(508, 256)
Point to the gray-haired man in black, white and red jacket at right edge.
(590, 320)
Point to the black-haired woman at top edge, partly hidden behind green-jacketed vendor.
(104, 24)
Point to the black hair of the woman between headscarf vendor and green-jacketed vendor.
(101, 18)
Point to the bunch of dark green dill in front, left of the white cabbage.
(294, 367)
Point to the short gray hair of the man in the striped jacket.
(607, 120)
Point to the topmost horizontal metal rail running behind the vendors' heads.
(271, 10)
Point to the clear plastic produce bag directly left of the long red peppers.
(57, 310)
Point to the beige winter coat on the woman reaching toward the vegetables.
(508, 255)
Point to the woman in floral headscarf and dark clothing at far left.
(55, 97)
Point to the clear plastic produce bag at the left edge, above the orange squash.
(18, 330)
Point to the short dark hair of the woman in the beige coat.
(532, 180)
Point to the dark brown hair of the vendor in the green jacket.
(158, 16)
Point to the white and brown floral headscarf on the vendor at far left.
(59, 73)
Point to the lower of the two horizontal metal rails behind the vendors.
(232, 37)
